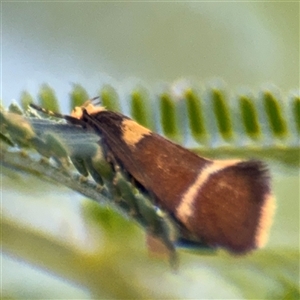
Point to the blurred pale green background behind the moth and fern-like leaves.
(65, 247)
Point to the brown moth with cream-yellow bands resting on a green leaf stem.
(219, 203)
